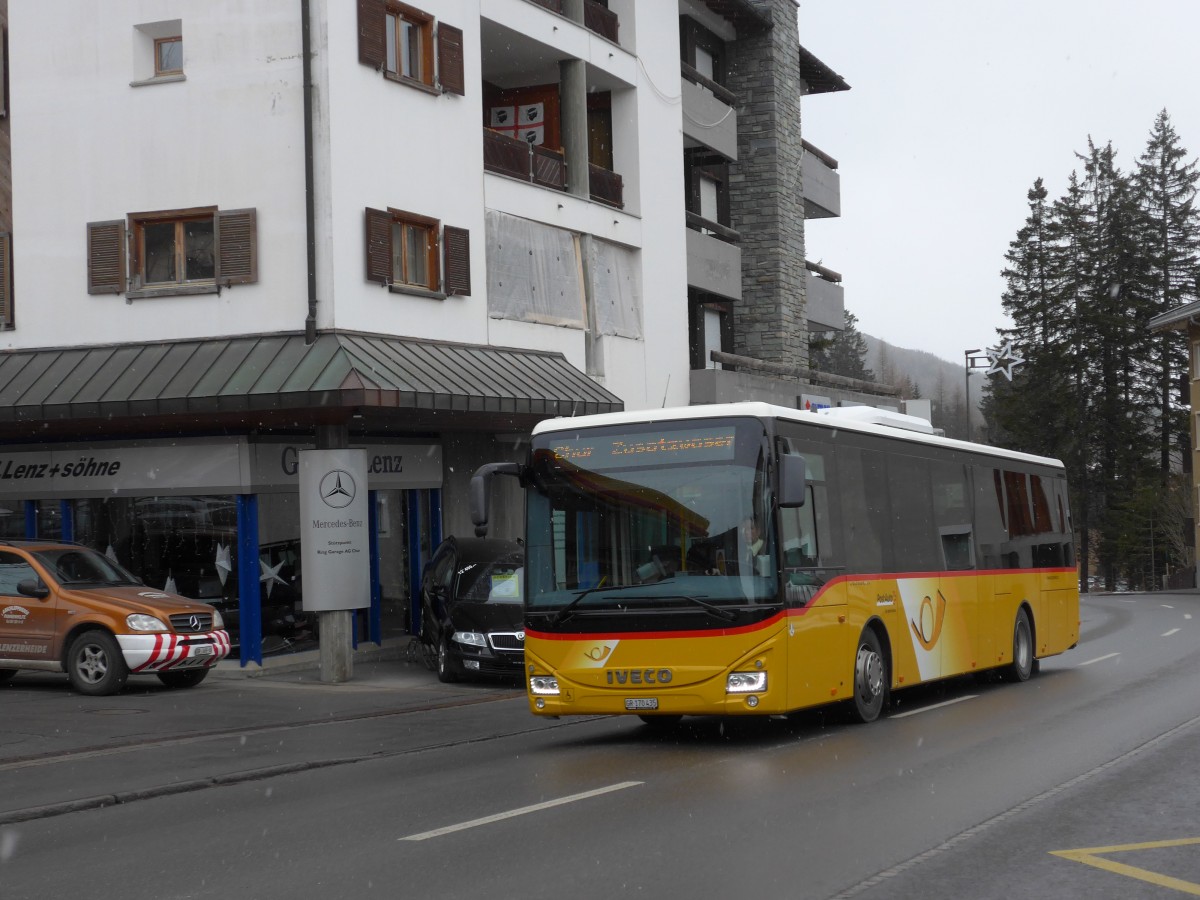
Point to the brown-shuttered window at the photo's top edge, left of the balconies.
(411, 46)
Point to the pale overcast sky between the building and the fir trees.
(956, 107)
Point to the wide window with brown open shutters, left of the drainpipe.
(173, 253)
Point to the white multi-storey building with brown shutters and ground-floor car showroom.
(238, 231)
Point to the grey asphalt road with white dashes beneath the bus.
(1079, 783)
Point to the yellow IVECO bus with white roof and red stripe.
(745, 559)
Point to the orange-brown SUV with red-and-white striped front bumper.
(68, 609)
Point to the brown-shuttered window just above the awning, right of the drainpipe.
(404, 253)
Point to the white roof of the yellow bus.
(867, 421)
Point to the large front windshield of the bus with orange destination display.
(651, 518)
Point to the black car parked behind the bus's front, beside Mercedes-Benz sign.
(471, 608)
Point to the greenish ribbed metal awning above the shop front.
(281, 373)
